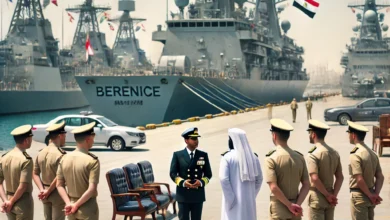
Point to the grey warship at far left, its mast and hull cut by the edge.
(32, 74)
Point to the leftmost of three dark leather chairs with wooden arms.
(123, 201)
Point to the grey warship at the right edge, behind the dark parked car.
(367, 60)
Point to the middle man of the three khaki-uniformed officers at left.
(47, 163)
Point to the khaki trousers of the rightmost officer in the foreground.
(361, 207)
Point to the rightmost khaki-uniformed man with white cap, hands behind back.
(366, 178)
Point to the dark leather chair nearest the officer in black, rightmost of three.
(148, 178)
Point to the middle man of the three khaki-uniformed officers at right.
(323, 163)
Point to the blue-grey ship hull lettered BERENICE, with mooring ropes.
(140, 100)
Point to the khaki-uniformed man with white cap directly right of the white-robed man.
(285, 169)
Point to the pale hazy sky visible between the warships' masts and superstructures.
(324, 37)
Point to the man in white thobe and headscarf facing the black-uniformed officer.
(241, 177)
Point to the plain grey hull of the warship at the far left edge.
(14, 102)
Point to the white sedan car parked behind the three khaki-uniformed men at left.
(107, 132)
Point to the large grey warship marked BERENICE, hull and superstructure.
(218, 56)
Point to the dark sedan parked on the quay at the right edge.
(367, 110)
